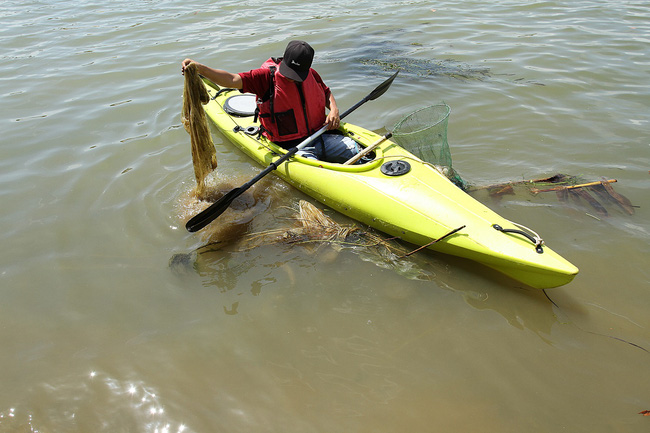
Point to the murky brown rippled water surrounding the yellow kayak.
(99, 333)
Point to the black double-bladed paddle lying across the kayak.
(217, 208)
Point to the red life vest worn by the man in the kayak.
(290, 110)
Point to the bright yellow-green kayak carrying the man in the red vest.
(399, 194)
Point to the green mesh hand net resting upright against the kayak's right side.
(424, 134)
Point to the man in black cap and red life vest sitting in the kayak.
(295, 107)
